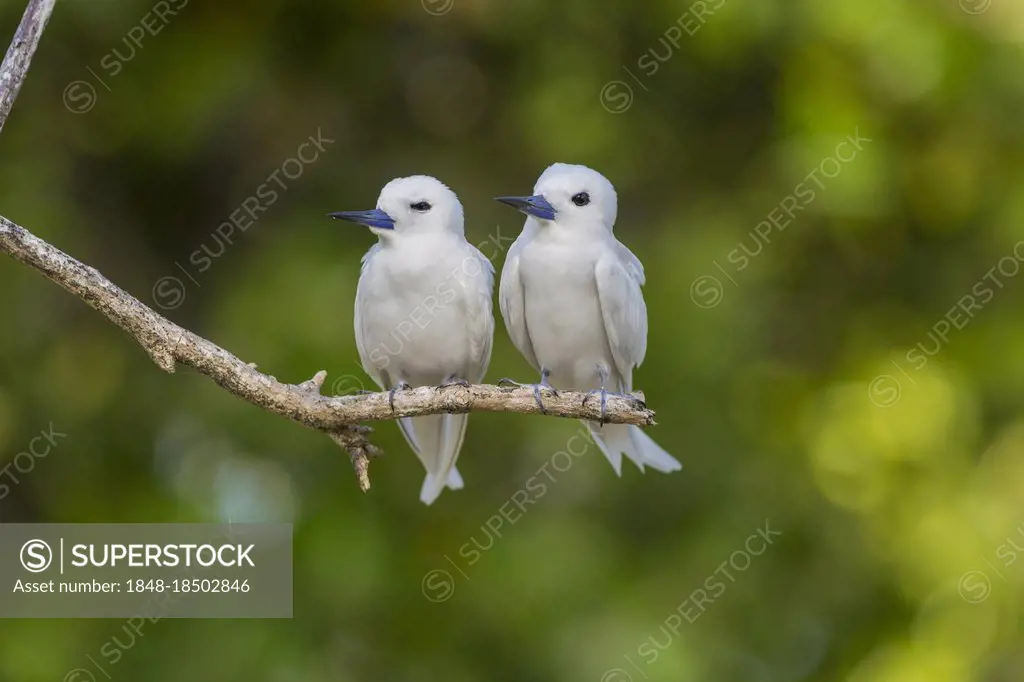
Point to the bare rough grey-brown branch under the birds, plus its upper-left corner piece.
(169, 345)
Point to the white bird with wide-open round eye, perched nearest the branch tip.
(572, 302)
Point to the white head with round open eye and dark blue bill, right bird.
(570, 196)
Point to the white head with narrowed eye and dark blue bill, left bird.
(415, 204)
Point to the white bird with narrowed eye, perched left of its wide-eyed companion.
(423, 312)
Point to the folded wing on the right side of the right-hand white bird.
(620, 277)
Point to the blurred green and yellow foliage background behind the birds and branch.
(792, 389)
